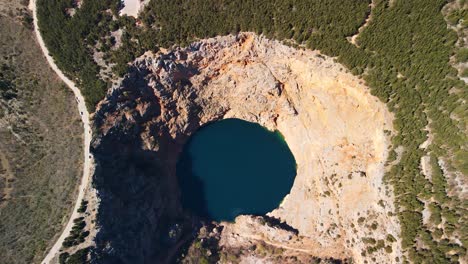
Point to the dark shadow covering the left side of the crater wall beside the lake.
(140, 218)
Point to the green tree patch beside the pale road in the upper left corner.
(69, 39)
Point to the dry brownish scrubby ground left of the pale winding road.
(40, 143)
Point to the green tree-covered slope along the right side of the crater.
(411, 72)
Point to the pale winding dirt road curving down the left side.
(88, 162)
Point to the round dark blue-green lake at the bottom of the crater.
(234, 167)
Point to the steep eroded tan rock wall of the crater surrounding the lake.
(333, 126)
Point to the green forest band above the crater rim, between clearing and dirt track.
(316, 24)
